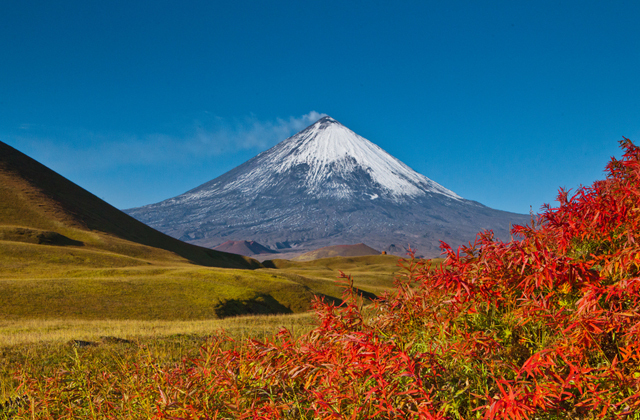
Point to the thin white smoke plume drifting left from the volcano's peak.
(80, 149)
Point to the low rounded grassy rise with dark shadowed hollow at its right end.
(151, 293)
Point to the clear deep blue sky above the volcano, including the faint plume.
(502, 102)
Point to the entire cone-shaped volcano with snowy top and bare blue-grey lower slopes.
(324, 186)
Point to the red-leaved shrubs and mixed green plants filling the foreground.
(545, 326)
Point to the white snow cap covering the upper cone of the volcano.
(332, 156)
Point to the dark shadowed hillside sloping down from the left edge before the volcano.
(39, 206)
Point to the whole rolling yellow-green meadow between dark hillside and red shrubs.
(58, 304)
